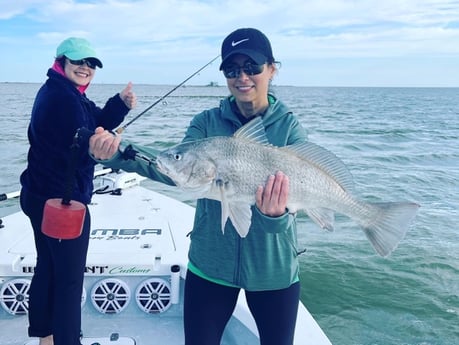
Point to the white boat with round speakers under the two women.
(135, 273)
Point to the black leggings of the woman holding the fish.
(209, 306)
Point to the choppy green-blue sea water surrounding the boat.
(400, 144)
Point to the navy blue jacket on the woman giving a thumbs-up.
(58, 112)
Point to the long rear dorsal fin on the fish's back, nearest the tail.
(324, 160)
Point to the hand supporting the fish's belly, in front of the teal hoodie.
(272, 199)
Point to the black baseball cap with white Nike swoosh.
(247, 41)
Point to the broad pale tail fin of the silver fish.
(390, 225)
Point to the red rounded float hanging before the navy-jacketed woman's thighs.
(63, 221)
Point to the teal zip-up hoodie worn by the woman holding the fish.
(267, 259)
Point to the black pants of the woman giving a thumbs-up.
(57, 283)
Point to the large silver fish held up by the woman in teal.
(230, 169)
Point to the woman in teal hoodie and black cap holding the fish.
(265, 262)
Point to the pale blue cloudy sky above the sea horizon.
(388, 43)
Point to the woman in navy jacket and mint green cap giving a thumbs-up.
(60, 108)
